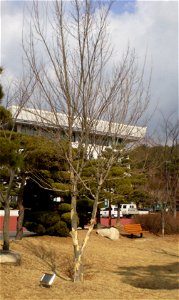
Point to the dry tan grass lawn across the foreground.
(138, 268)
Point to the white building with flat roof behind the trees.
(40, 122)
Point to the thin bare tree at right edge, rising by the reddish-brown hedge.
(163, 168)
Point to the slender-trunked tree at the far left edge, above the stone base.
(11, 143)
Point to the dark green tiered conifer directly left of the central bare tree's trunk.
(47, 179)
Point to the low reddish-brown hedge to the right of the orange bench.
(153, 223)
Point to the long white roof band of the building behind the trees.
(46, 118)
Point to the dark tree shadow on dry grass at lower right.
(154, 277)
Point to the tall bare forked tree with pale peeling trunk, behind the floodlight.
(92, 106)
